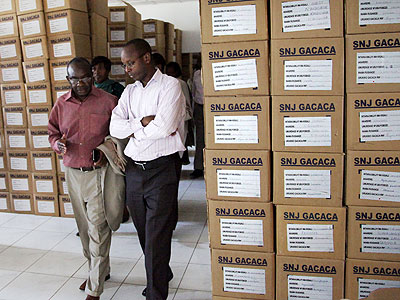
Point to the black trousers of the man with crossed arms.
(152, 200)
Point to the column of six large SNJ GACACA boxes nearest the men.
(237, 157)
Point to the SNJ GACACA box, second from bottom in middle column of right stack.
(315, 232)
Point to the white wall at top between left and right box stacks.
(184, 15)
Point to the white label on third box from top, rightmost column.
(380, 126)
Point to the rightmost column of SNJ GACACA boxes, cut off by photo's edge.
(373, 159)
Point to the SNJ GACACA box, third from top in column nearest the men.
(237, 123)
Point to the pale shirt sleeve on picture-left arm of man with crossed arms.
(121, 126)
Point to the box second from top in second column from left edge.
(31, 25)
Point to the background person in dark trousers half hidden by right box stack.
(198, 115)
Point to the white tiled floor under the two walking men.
(41, 258)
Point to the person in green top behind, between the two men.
(101, 67)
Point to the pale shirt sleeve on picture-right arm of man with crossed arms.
(170, 113)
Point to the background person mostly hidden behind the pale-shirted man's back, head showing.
(173, 69)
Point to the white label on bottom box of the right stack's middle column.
(310, 287)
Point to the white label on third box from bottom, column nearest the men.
(239, 183)
